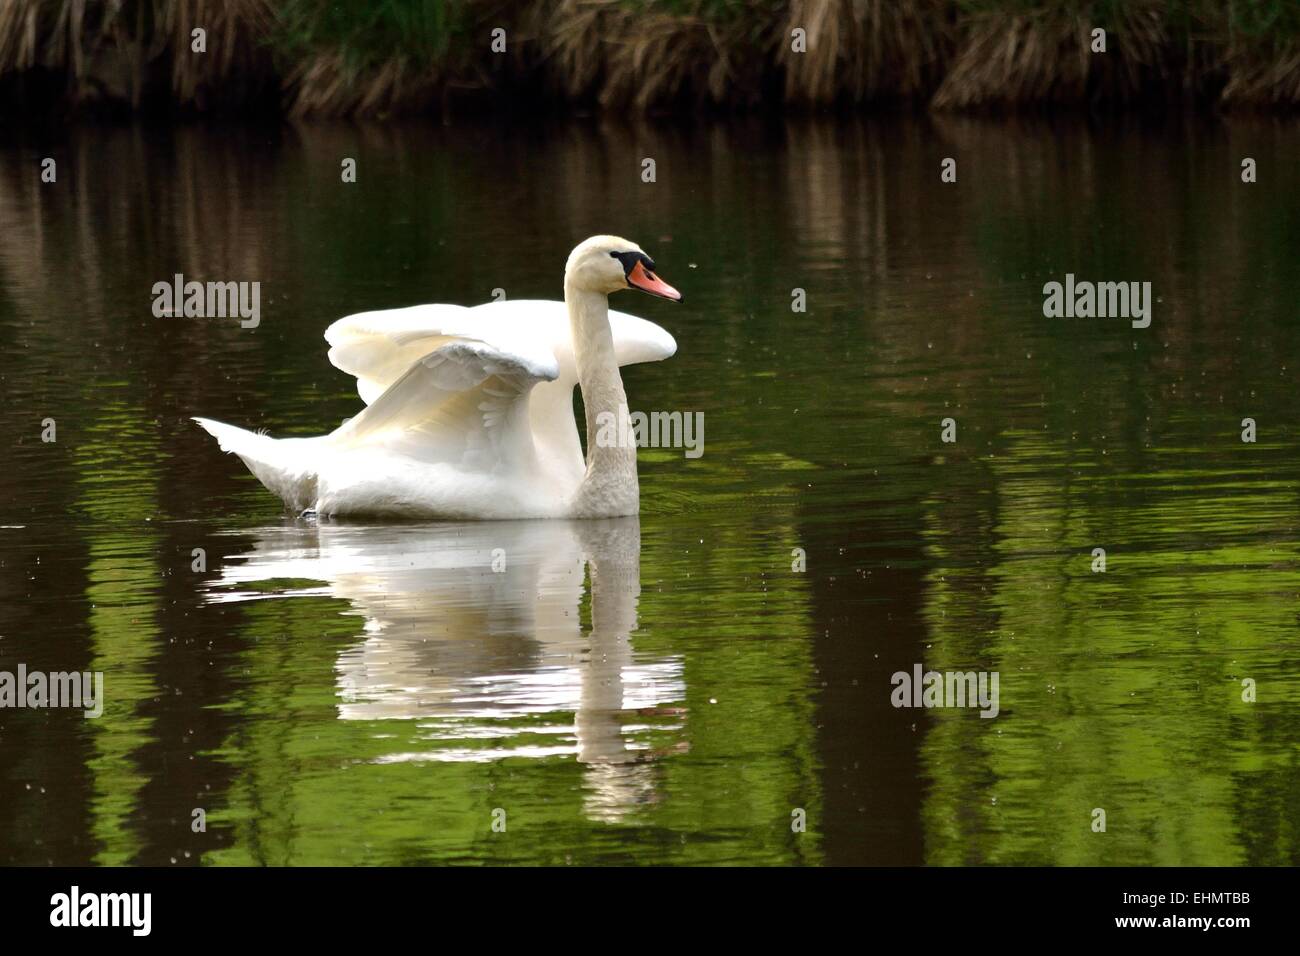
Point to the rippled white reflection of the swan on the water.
(474, 631)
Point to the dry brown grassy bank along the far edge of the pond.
(317, 58)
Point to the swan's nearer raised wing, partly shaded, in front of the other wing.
(465, 404)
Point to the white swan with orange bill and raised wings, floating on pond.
(469, 412)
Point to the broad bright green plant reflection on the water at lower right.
(1121, 690)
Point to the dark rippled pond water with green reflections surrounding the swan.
(669, 690)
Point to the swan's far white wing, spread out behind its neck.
(379, 348)
